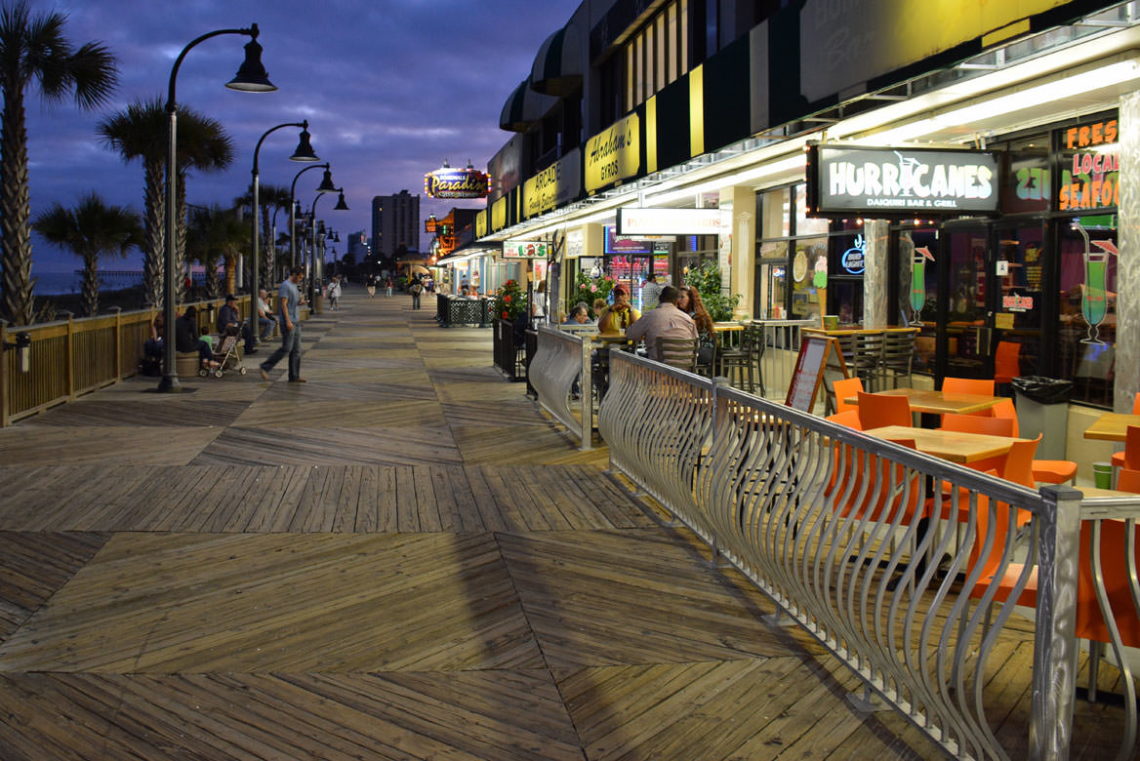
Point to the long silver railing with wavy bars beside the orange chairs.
(894, 561)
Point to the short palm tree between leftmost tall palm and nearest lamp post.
(92, 231)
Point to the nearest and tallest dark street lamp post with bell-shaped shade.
(251, 78)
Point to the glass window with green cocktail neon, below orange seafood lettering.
(1088, 307)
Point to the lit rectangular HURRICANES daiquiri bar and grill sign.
(901, 182)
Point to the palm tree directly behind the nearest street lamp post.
(141, 133)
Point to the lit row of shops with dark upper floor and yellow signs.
(964, 169)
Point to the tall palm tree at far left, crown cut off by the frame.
(35, 48)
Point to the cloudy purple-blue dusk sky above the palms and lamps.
(392, 88)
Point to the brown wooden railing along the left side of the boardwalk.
(75, 357)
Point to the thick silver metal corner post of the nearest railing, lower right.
(1055, 650)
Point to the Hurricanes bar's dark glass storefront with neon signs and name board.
(1016, 275)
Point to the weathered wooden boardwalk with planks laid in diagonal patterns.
(398, 560)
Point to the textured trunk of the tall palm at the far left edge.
(15, 210)
